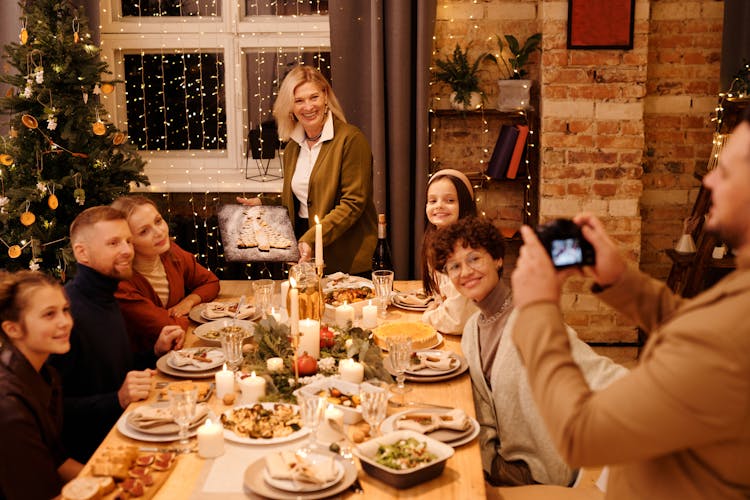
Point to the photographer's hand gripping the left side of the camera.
(535, 278)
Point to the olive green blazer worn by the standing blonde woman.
(340, 194)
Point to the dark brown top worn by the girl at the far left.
(30, 423)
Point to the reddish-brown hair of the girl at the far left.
(16, 292)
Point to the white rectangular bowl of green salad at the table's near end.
(403, 458)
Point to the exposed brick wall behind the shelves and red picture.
(620, 131)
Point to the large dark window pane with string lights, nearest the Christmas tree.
(176, 101)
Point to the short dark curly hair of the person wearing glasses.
(470, 232)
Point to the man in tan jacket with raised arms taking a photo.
(678, 425)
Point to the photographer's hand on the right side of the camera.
(610, 265)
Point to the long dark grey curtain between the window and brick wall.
(380, 57)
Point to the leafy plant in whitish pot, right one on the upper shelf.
(514, 89)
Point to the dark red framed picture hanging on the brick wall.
(601, 24)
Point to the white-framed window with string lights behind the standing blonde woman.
(200, 78)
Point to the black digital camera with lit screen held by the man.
(565, 243)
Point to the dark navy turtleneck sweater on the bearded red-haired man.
(97, 364)
